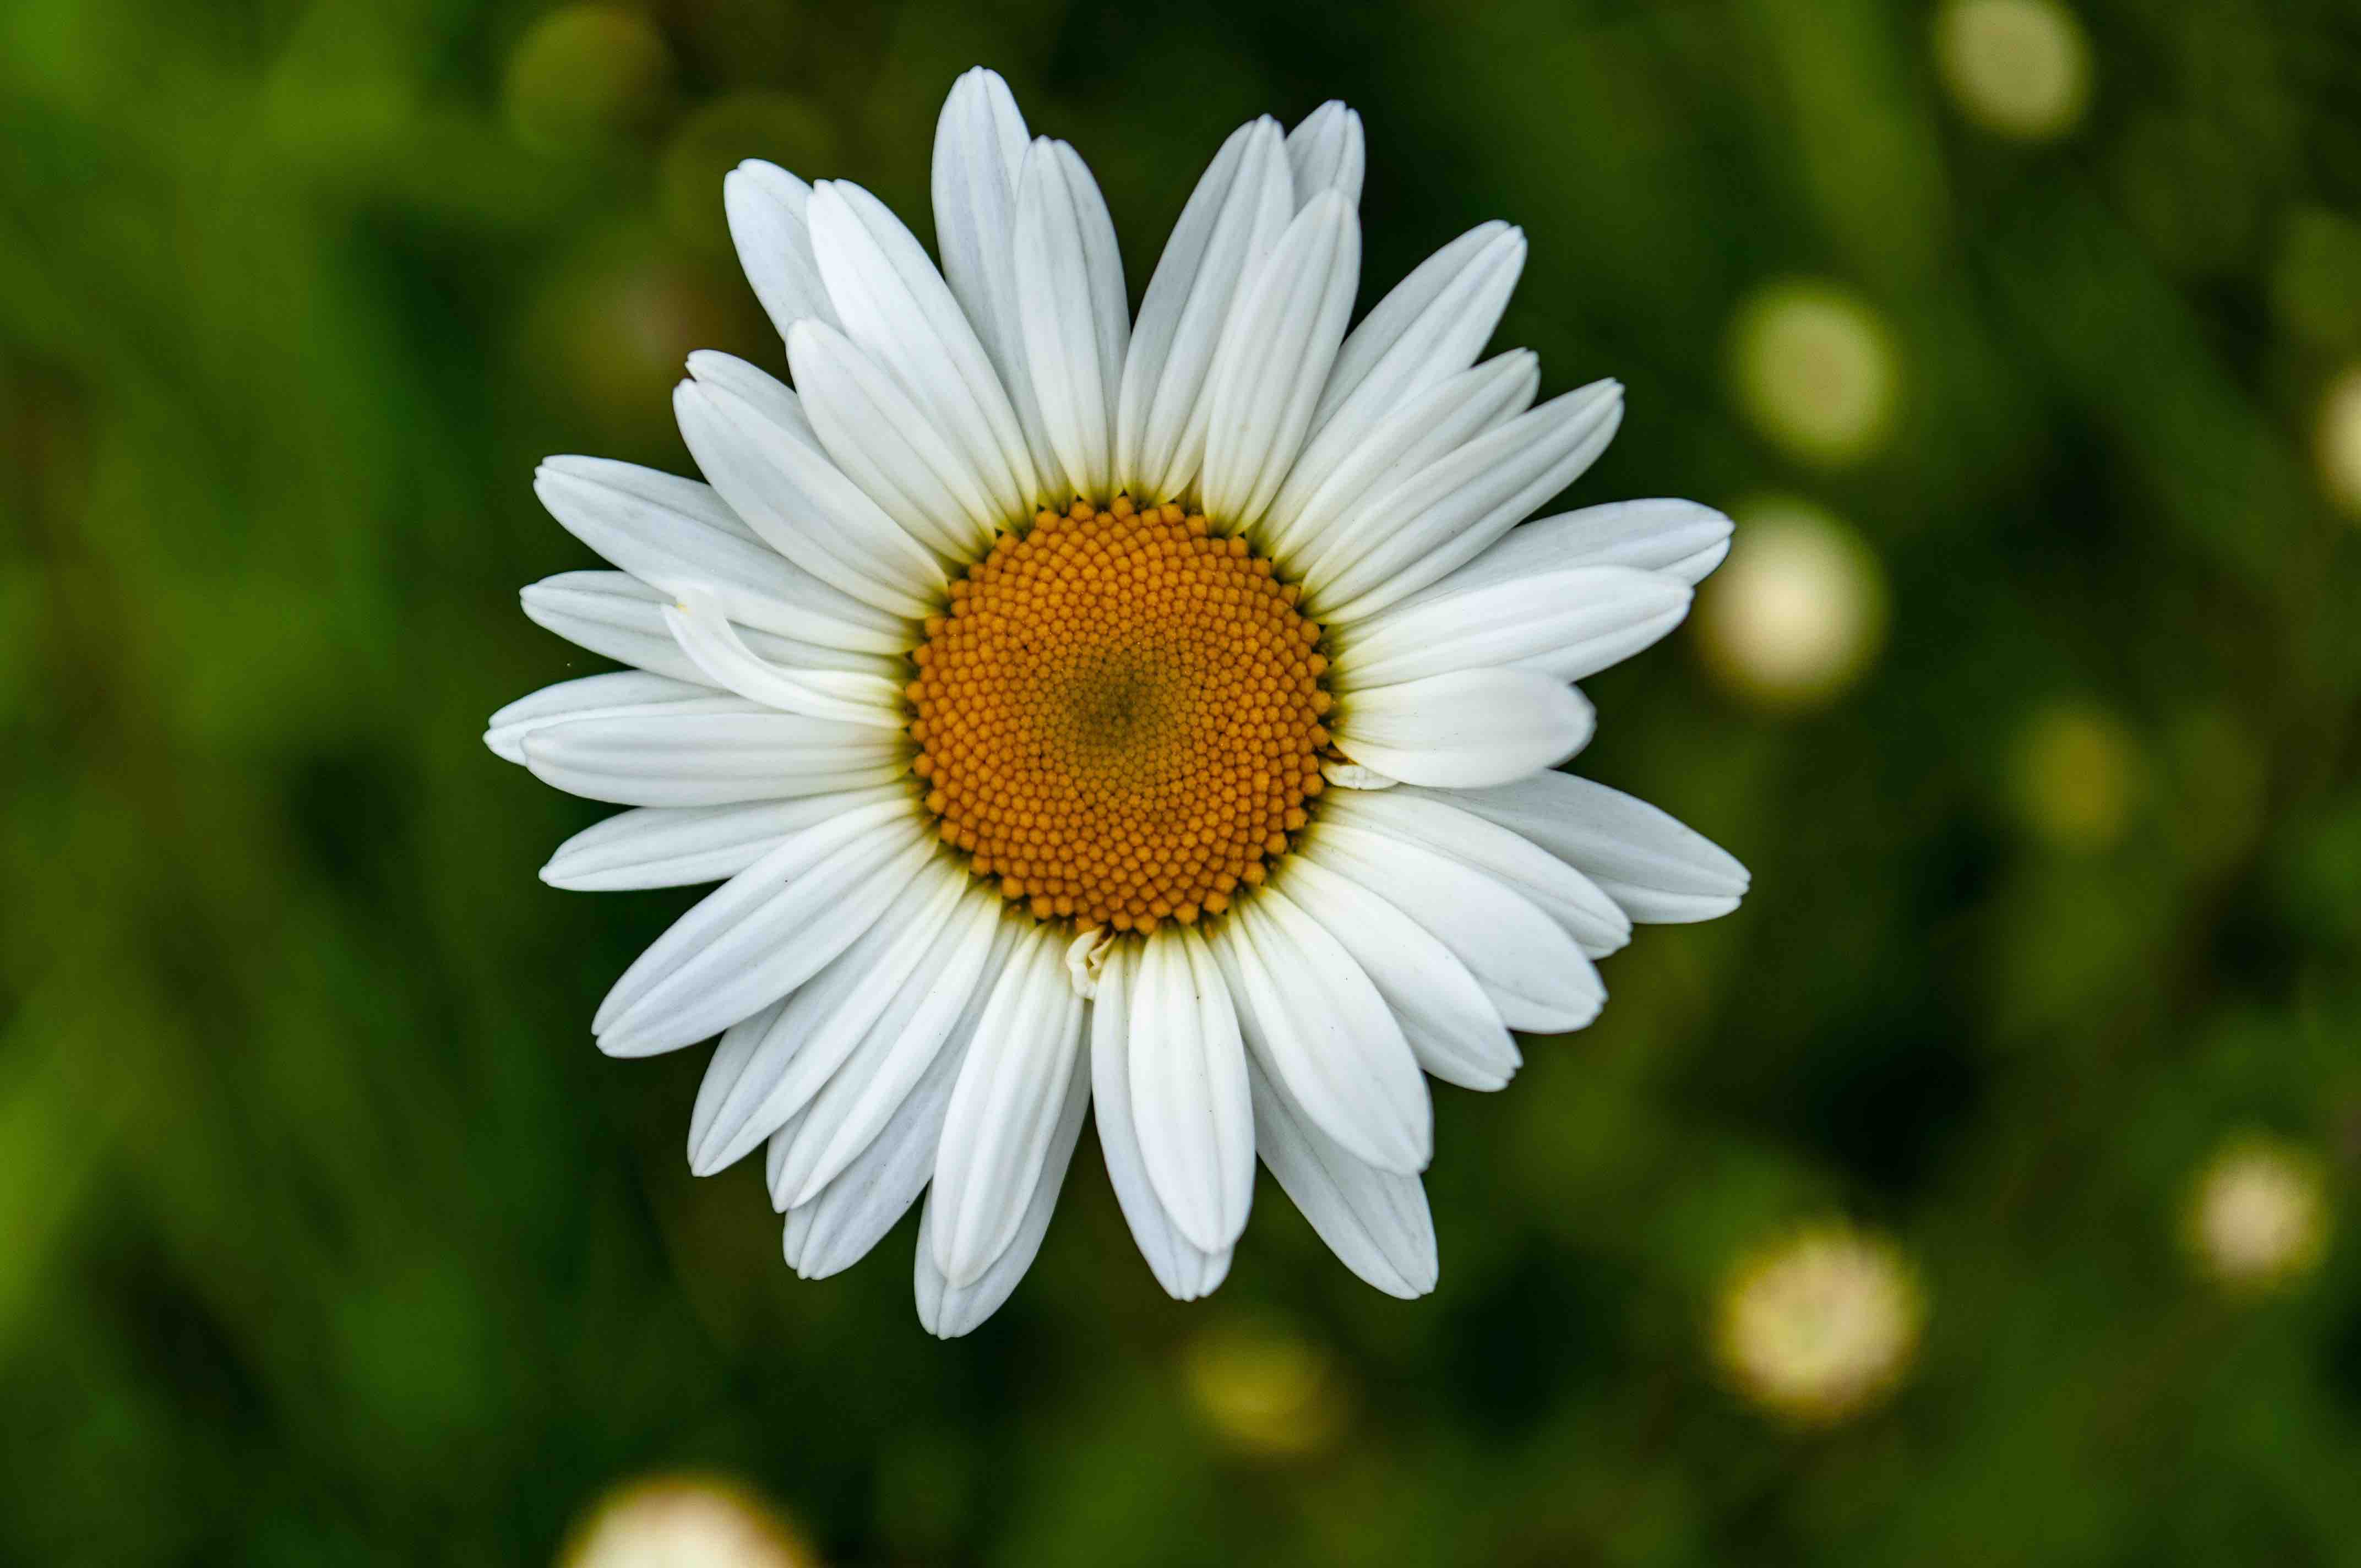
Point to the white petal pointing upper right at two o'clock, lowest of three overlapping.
(1394, 544)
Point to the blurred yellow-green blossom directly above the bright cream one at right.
(1814, 370)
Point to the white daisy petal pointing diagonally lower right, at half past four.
(1444, 1012)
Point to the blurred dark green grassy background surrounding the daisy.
(327, 1236)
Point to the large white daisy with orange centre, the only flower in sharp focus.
(1092, 710)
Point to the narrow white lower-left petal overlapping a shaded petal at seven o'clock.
(896, 1054)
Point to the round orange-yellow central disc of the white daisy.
(1120, 717)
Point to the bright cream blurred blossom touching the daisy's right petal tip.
(1798, 613)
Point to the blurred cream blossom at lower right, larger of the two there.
(1819, 1324)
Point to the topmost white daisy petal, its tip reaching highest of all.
(979, 157)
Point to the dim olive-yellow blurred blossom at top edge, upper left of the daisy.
(587, 74)
